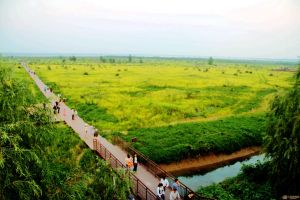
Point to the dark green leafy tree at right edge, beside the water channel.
(282, 140)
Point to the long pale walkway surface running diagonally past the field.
(78, 125)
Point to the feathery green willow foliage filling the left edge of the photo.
(20, 121)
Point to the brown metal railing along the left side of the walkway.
(138, 187)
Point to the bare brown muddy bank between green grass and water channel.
(209, 161)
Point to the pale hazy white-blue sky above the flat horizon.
(231, 28)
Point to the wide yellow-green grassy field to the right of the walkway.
(167, 103)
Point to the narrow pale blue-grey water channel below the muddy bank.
(195, 181)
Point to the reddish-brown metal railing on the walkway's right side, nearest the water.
(155, 169)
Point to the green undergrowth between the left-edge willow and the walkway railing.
(72, 171)
